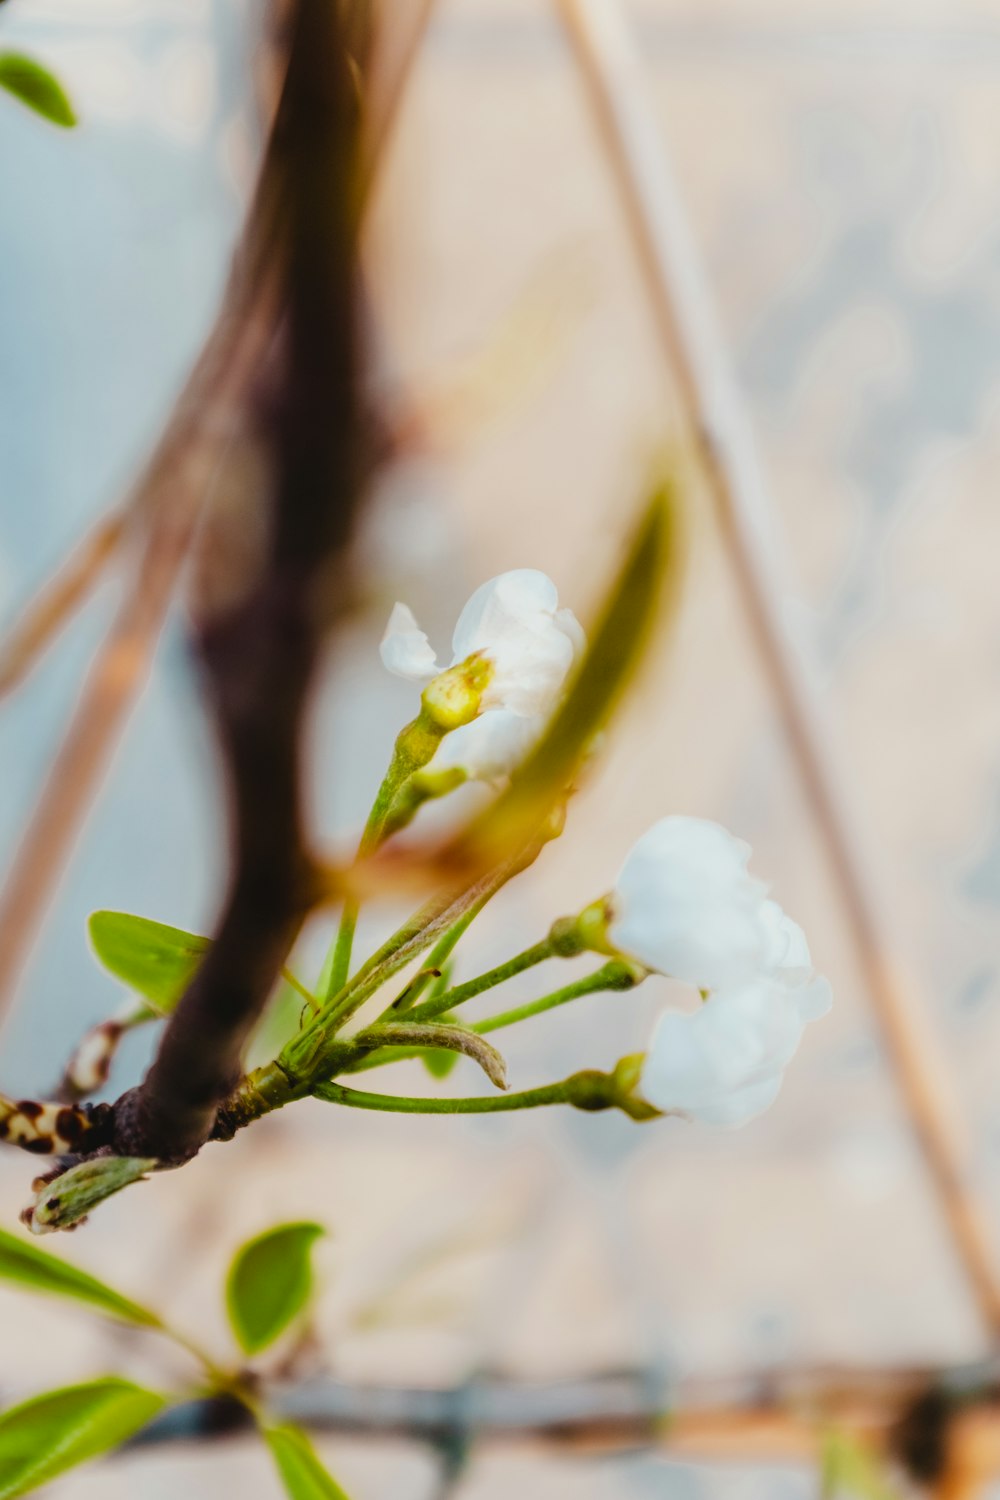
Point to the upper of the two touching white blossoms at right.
(684, 905)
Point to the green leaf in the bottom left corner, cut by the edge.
(52, 1433)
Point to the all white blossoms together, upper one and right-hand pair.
(684, 904)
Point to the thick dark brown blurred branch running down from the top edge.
(259, 652)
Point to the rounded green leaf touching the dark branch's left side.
(154, 959)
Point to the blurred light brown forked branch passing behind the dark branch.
(163, 514)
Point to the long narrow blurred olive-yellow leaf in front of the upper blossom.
(615, 649)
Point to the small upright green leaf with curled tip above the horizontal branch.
(271, 1283)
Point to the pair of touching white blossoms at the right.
(686, 905)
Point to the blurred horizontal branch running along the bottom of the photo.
(941, 1427)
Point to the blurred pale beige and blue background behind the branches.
(842, 172)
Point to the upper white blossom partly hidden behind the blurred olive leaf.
(530, 644)
